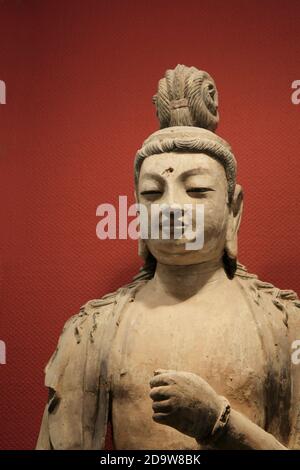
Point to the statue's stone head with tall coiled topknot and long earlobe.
(185, 162)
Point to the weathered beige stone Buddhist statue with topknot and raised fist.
(194, 353)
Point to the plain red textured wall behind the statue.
(80, 76)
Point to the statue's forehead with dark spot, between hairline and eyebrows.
(178, 164)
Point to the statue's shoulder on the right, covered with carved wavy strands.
(260, 291)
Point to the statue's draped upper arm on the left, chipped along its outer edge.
(73, 381)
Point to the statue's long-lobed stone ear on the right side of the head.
(235, 215)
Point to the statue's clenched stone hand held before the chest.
(184, 401)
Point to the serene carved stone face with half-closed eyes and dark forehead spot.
(187, 178)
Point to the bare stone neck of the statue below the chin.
(183, 282)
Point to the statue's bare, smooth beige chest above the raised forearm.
(214, 338)
